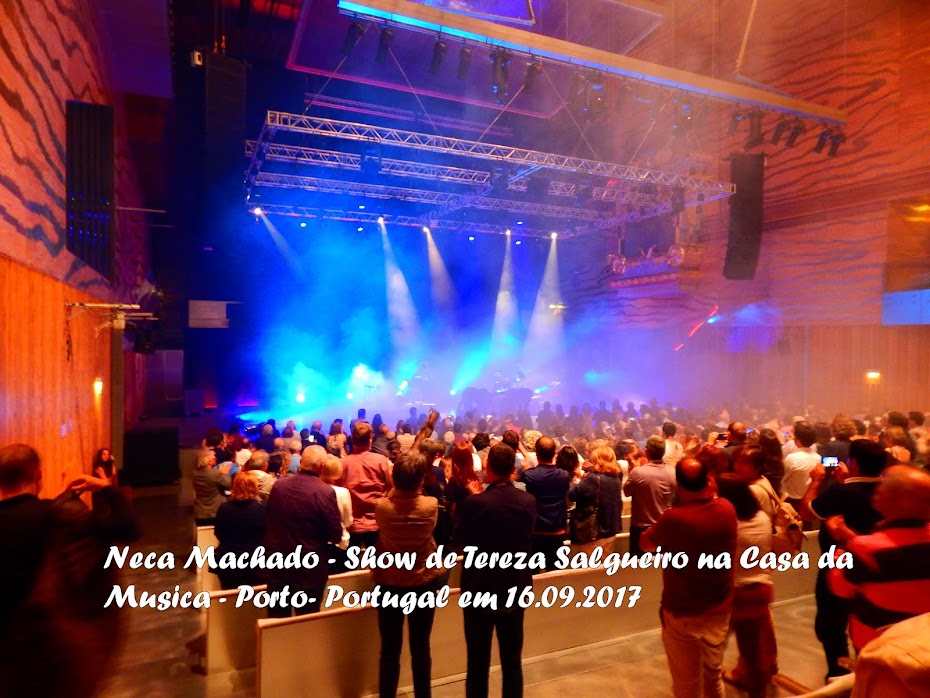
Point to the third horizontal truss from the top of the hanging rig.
(423, 196)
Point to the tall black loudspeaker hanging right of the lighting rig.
(745, 234)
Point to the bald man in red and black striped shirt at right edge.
(889, 580)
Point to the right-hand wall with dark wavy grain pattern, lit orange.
(825, 238)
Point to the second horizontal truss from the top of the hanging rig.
(404, 168)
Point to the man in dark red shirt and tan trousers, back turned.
(696, 602)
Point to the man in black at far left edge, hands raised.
(57, 637)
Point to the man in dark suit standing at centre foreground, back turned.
(500, 519)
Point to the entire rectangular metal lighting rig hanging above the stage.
(622, 193)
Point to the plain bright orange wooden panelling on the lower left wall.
(40, 390)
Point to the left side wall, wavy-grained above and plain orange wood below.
(51, 52)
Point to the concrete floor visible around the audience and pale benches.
(162, 651)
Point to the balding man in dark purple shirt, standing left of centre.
(302, 510)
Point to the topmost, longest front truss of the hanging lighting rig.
(313, 125)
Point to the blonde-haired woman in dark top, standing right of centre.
(598, 497)
